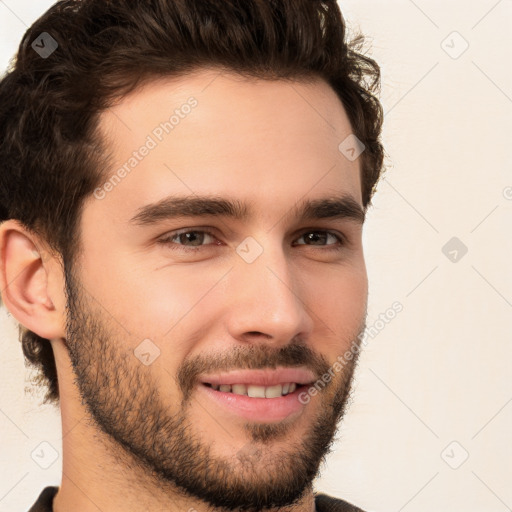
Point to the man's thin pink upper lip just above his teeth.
(266, 377)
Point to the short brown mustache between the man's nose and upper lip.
(255, 357)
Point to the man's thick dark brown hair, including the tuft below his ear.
(50, 149)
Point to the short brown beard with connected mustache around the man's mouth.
(158, 441)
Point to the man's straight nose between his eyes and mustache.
(269, 300)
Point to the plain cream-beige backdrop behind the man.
(435, 384)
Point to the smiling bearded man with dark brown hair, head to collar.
(183, 191)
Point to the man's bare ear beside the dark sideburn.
(26, 267)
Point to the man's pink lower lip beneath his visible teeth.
(262, 410)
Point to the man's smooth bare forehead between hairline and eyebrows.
(216, 132)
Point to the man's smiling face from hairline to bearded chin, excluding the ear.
(221, 275)
